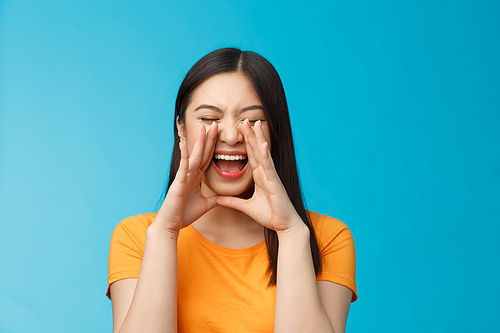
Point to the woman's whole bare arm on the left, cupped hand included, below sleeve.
(149, 303)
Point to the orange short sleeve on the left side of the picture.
(127, 247)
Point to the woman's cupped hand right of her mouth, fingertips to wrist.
(269, 204)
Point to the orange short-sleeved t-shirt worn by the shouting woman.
(225, 290)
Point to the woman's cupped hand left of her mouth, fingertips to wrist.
(184, 202)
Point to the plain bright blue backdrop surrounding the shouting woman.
(395, 110)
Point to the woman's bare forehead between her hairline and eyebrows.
(226, 91)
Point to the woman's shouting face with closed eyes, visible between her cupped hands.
(227, 99)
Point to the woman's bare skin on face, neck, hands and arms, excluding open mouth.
(228, 213)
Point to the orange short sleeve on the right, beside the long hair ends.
(337, 251)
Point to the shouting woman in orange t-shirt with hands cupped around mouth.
(232, 248)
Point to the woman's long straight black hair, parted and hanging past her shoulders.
(269, 88)
